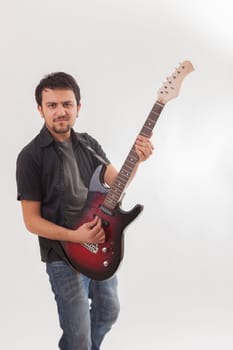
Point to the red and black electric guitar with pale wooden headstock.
(100, 261)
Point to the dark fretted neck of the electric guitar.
(115, 193)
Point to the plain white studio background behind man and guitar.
(175, 283)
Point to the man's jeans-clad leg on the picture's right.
(104, 309)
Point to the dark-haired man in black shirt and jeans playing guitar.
(53, 175)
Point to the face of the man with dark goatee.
(59, 110)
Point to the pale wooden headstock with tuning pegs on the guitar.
(171, 87)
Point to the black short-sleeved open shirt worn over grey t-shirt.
(40, 177)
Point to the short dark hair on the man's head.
(57, 80)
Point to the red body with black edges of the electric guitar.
(100, 261)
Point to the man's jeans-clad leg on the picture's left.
(71, 293)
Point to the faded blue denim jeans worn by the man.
(87, 308)
